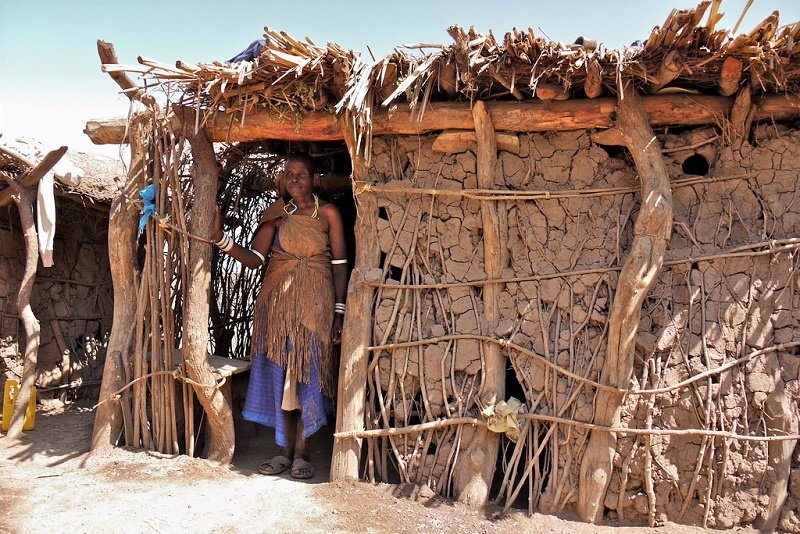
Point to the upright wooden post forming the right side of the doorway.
(357, 335)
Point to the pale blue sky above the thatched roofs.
(50, 81)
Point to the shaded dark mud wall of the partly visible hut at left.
(73, 300)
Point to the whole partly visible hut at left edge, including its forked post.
(54, 318)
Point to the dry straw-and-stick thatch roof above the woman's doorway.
(683, 54)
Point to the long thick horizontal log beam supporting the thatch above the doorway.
(531, 116)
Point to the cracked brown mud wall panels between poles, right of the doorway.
(728, 289)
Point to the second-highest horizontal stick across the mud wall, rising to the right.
(776, 246)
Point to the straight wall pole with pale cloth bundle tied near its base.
(474, 471)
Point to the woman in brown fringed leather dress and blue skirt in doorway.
(298, 314)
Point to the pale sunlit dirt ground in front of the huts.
(50, 483)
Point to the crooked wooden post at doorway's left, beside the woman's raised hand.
(205, 173)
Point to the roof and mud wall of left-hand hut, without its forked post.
(72, 300)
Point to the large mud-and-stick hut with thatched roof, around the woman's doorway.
(608, 236)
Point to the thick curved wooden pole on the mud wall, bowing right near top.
(639, 273)
